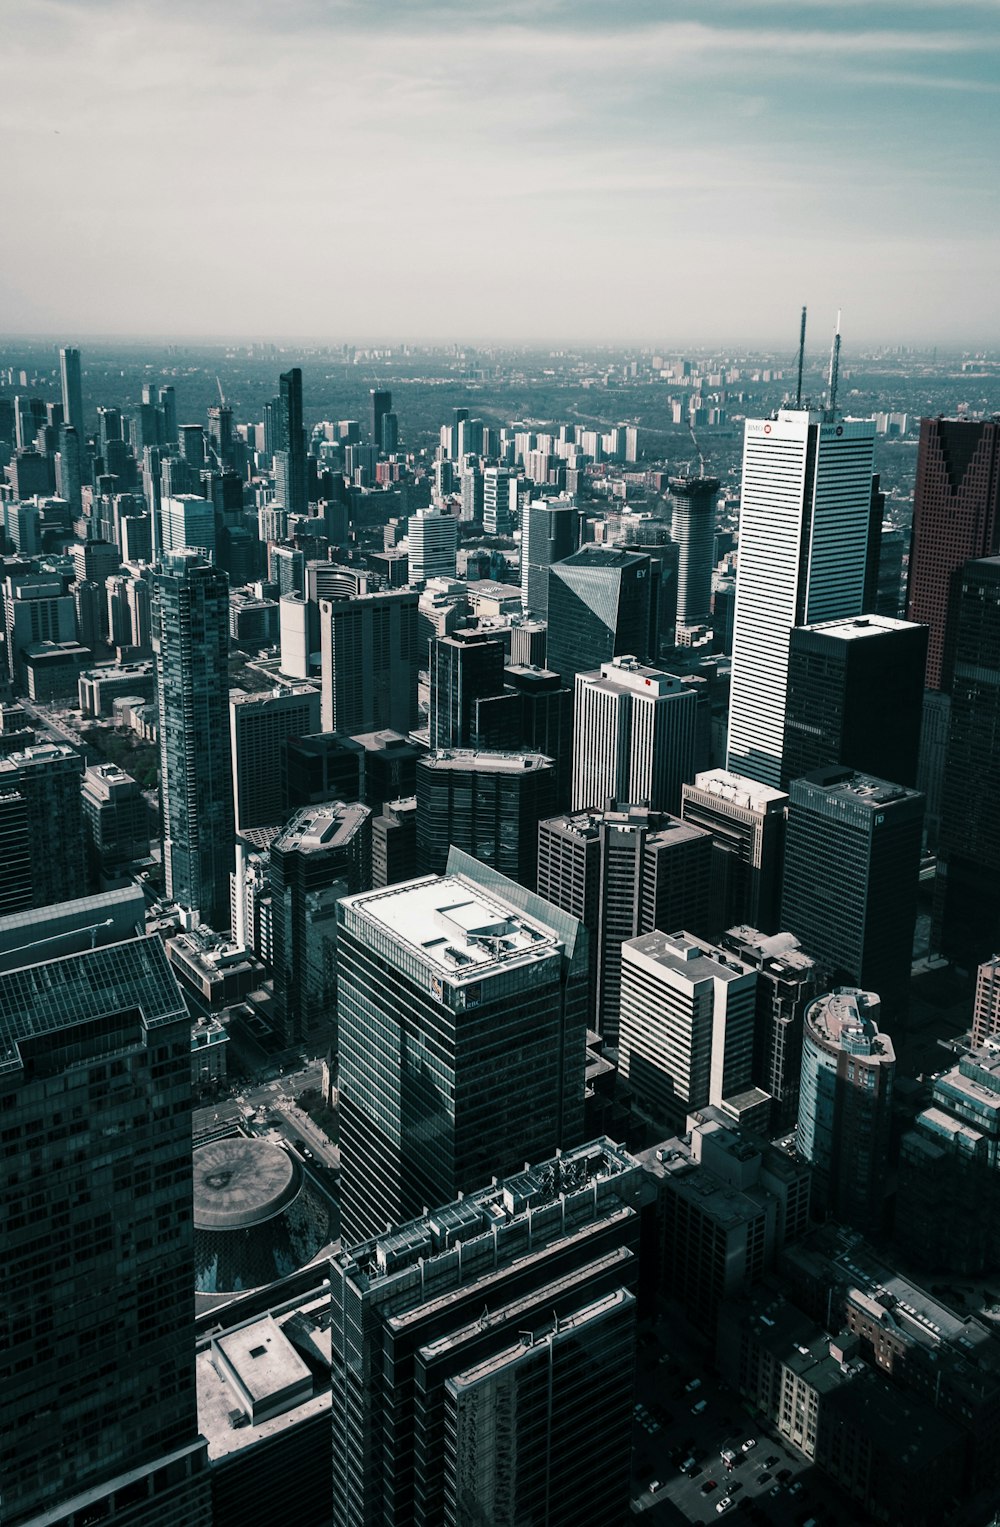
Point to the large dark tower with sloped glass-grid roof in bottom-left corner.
(98, 1412)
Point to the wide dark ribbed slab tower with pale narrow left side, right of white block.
(370, 662)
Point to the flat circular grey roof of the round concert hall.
(242, 1183)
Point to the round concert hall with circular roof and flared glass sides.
(257, 1218)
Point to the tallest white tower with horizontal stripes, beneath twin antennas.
(805, 512)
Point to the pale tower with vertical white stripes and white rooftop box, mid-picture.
(634, 737)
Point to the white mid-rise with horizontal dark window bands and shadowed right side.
(688, 1024)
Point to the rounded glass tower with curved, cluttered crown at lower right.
(845, 1106)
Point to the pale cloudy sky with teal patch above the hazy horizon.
(558, 172)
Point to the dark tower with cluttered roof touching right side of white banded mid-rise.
(787, 983)
